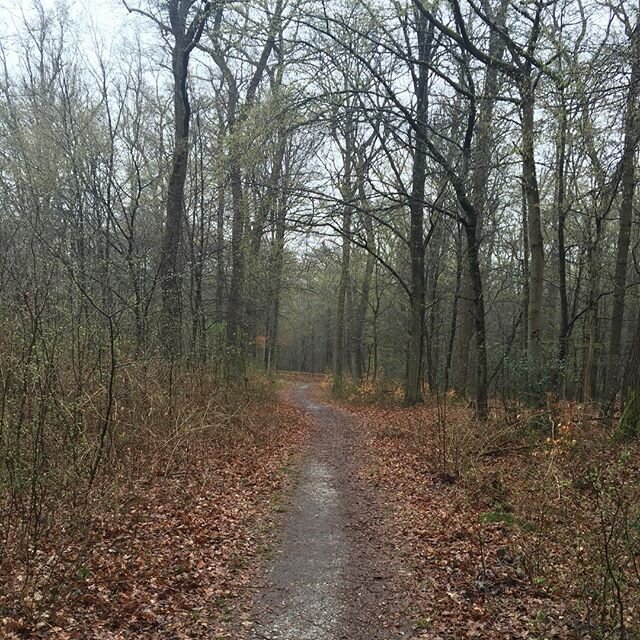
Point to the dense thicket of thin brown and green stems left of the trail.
(62, 455)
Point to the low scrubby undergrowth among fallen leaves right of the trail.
(548, 496)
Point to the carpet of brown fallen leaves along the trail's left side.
(172, 555)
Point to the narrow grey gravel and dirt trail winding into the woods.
(333, 575)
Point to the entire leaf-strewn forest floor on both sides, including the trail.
(349, 521)
